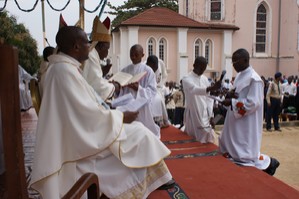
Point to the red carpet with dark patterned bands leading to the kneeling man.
(208, 175)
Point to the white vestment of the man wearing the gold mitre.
(93, 74)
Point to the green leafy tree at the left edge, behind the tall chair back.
(17, 35)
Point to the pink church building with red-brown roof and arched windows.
(268, 29)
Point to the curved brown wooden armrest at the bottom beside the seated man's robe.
(88, 182)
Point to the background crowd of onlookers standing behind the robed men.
(281, 99)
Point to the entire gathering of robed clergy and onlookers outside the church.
(124, 148)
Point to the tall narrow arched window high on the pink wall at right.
(261, 29)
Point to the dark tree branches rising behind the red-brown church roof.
(134, 7)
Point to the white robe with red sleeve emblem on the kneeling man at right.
(242, 132)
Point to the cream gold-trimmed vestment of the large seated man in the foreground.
(75, 135)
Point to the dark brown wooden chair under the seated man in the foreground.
(12, 179)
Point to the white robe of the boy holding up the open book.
(147, 89)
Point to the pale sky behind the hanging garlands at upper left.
(33, 20)
